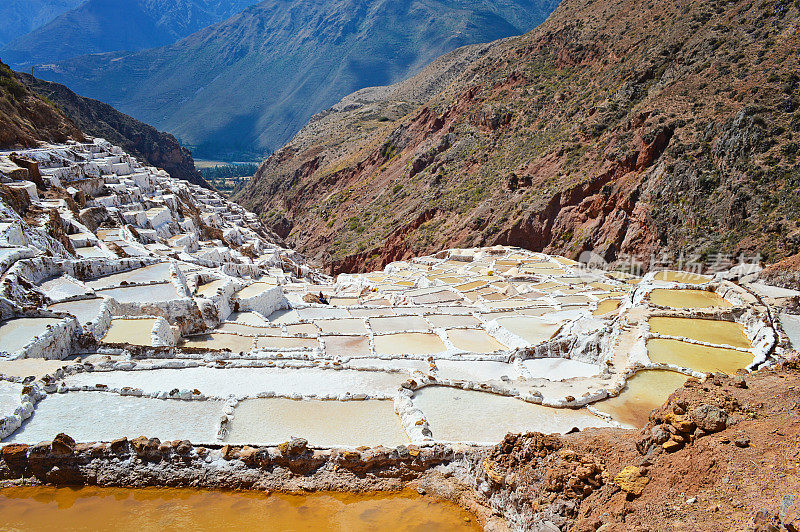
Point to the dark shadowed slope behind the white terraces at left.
(101, 120)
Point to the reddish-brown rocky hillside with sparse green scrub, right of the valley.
(624, 128)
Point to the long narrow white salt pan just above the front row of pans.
(248, 382)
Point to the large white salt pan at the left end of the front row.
(98, 416)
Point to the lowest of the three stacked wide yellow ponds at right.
(697, 357)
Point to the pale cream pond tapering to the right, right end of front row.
(469, 416)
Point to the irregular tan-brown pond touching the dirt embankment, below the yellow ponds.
(643, 392)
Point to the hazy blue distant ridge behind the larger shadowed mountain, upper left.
(98, 26)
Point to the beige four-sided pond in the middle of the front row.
(322, 423)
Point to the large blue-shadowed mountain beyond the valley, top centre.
(245, 86)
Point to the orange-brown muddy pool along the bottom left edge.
(134, 510)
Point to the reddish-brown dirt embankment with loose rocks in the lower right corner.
(719, 455)
